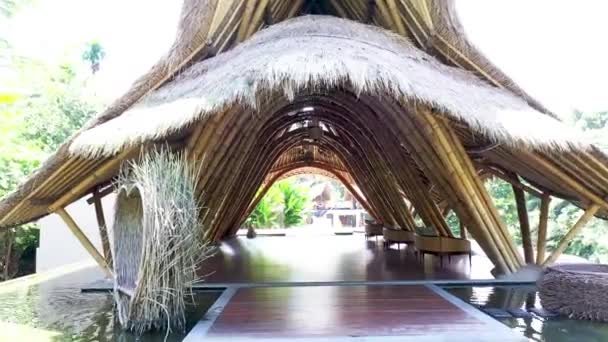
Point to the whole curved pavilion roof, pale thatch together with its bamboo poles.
(388, 94)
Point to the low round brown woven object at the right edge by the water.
(577, 291)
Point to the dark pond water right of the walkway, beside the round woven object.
(535, 328)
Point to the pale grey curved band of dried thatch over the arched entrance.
(314, 53)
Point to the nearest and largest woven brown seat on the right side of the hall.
(442, 246)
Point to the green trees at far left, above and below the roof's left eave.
(44, 107)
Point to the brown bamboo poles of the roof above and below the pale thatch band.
(397, 156)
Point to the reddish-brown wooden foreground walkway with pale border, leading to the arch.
(340, 313)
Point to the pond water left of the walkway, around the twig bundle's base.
(56, 310)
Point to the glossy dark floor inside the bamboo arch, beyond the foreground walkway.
(326, 258)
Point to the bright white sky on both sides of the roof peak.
(554, 49)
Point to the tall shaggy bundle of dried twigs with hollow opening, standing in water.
(157, 242)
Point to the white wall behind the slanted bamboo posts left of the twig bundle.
(58, 246)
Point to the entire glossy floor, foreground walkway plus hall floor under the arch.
(338, 288)
